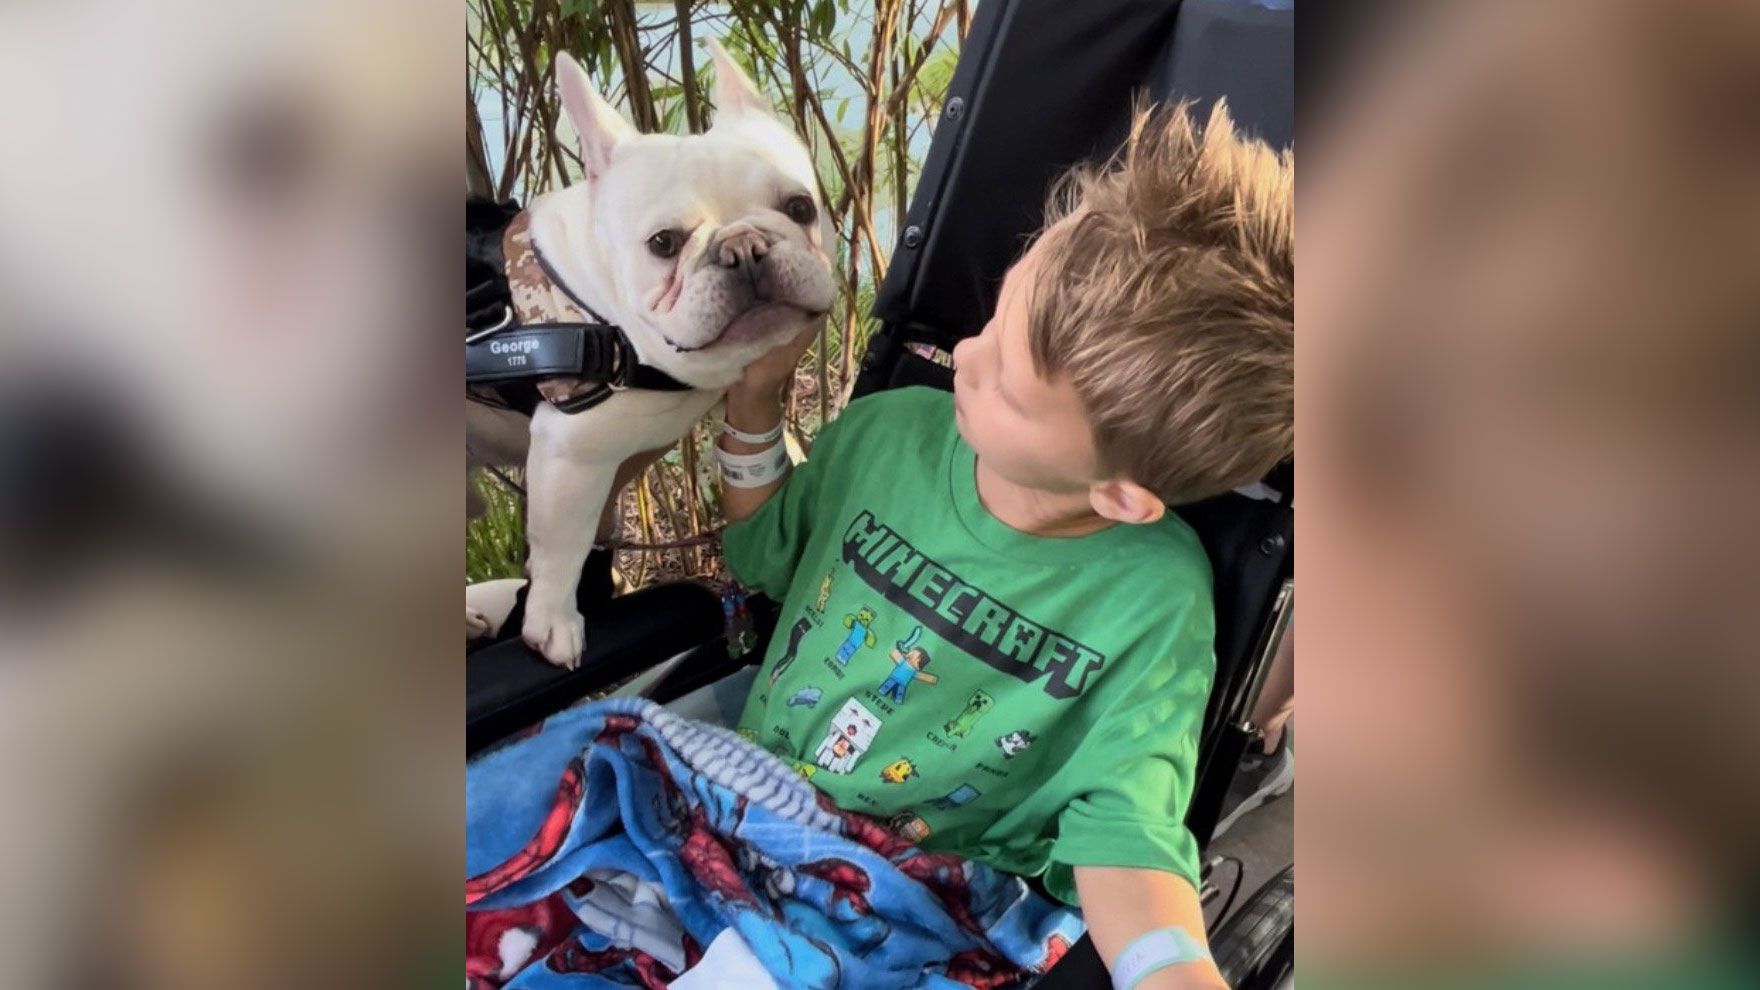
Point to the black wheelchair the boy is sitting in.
(1041, 85)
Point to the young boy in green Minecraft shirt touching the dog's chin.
(1141, 355)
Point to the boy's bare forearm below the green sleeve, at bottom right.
(1120, 905)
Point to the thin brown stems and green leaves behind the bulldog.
(862, 84)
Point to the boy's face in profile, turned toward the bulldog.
(1029, 431)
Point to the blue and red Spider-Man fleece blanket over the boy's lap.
(627, 846)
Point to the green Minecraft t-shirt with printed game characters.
(1034, 704)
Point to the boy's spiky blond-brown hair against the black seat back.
(1168, 297)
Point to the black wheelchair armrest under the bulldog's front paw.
(510, 688)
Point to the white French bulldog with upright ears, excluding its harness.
(708, 251)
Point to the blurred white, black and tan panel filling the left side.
(230, 720)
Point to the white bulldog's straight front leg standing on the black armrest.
(568, 482)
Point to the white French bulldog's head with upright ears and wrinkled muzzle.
(714, 246)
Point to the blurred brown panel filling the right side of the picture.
(1529, 448)
